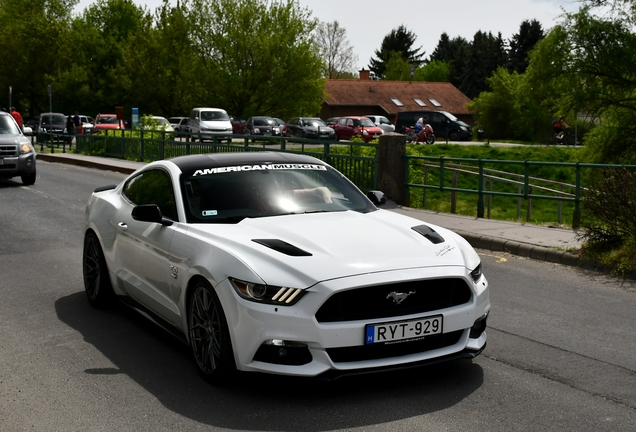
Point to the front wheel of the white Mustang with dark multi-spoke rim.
(209, 335)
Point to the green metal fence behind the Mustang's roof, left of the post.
(357, 161)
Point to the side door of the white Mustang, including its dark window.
(142, 249)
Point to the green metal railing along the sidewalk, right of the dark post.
(439, 171)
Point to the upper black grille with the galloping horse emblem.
(378, 301)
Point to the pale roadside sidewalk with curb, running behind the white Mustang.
(533, 241)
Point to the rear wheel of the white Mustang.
(97, 285)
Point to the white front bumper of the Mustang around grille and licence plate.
(326, 347)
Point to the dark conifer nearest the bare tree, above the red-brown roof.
(399, 40)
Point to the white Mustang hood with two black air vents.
(335, 245)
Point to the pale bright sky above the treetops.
(368, 21)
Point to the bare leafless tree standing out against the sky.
(334, 49)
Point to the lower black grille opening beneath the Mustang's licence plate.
(381, 351)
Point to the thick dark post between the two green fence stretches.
(392, 174)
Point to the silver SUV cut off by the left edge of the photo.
(17, 155)
